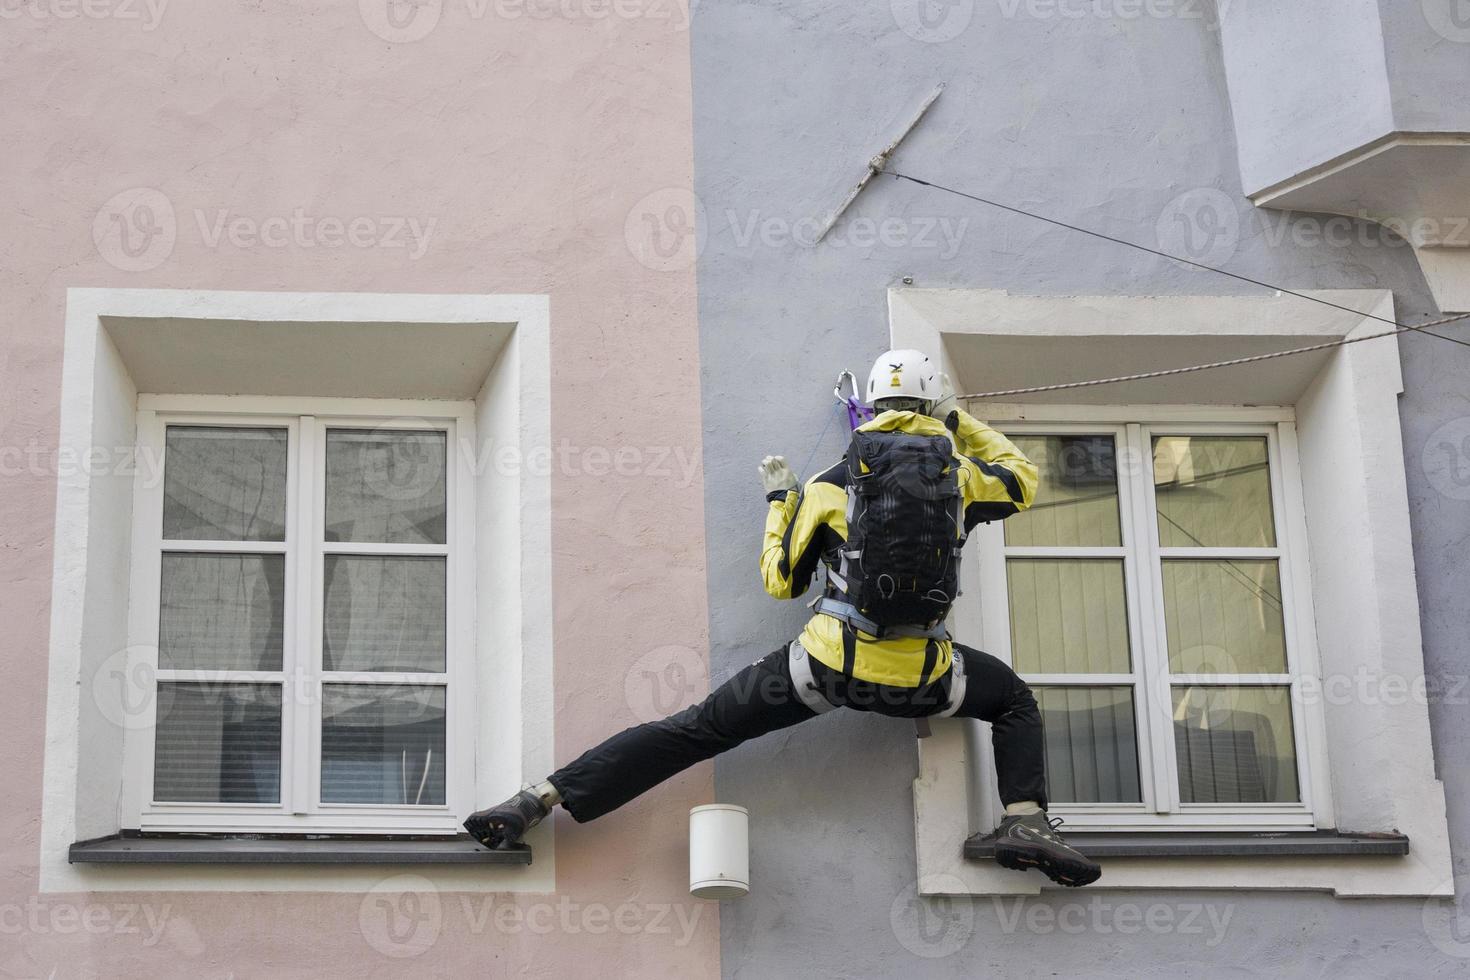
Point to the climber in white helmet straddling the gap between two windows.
(884, 530)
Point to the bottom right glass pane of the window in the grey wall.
(1236, 746)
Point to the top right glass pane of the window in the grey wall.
(1213, 493)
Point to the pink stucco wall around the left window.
(526, 142)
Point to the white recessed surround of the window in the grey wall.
(1380, 771)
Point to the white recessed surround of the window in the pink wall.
(484, 359)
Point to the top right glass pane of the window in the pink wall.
(386, 487)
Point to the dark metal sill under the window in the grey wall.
(1216, 844)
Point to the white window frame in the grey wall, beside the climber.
(1150, 678)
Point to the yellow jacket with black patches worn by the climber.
(811, 525)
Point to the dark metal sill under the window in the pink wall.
(139, 849)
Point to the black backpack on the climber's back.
(900, 568)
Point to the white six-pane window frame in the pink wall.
(308, 421)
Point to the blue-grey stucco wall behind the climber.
(1109, 123)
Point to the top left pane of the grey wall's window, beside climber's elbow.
(1077, 502)
